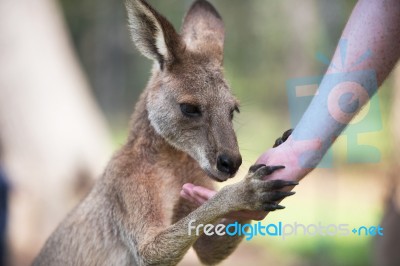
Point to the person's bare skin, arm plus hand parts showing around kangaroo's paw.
(373, 26)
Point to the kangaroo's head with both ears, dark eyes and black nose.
(188, 100)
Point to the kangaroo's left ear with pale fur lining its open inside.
(152, 33)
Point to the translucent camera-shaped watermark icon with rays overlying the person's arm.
(344, 93)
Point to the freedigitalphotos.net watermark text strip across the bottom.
(282, 230)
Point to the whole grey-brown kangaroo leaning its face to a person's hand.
(181, 131)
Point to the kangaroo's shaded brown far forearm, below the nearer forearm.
(213, 249)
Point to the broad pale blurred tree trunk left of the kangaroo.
(53, 137)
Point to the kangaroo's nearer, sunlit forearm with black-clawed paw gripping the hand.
(167, 247)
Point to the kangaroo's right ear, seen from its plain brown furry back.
(203, 30)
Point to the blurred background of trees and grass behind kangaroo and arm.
(69, 79)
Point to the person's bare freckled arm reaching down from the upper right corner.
(366, 54)
